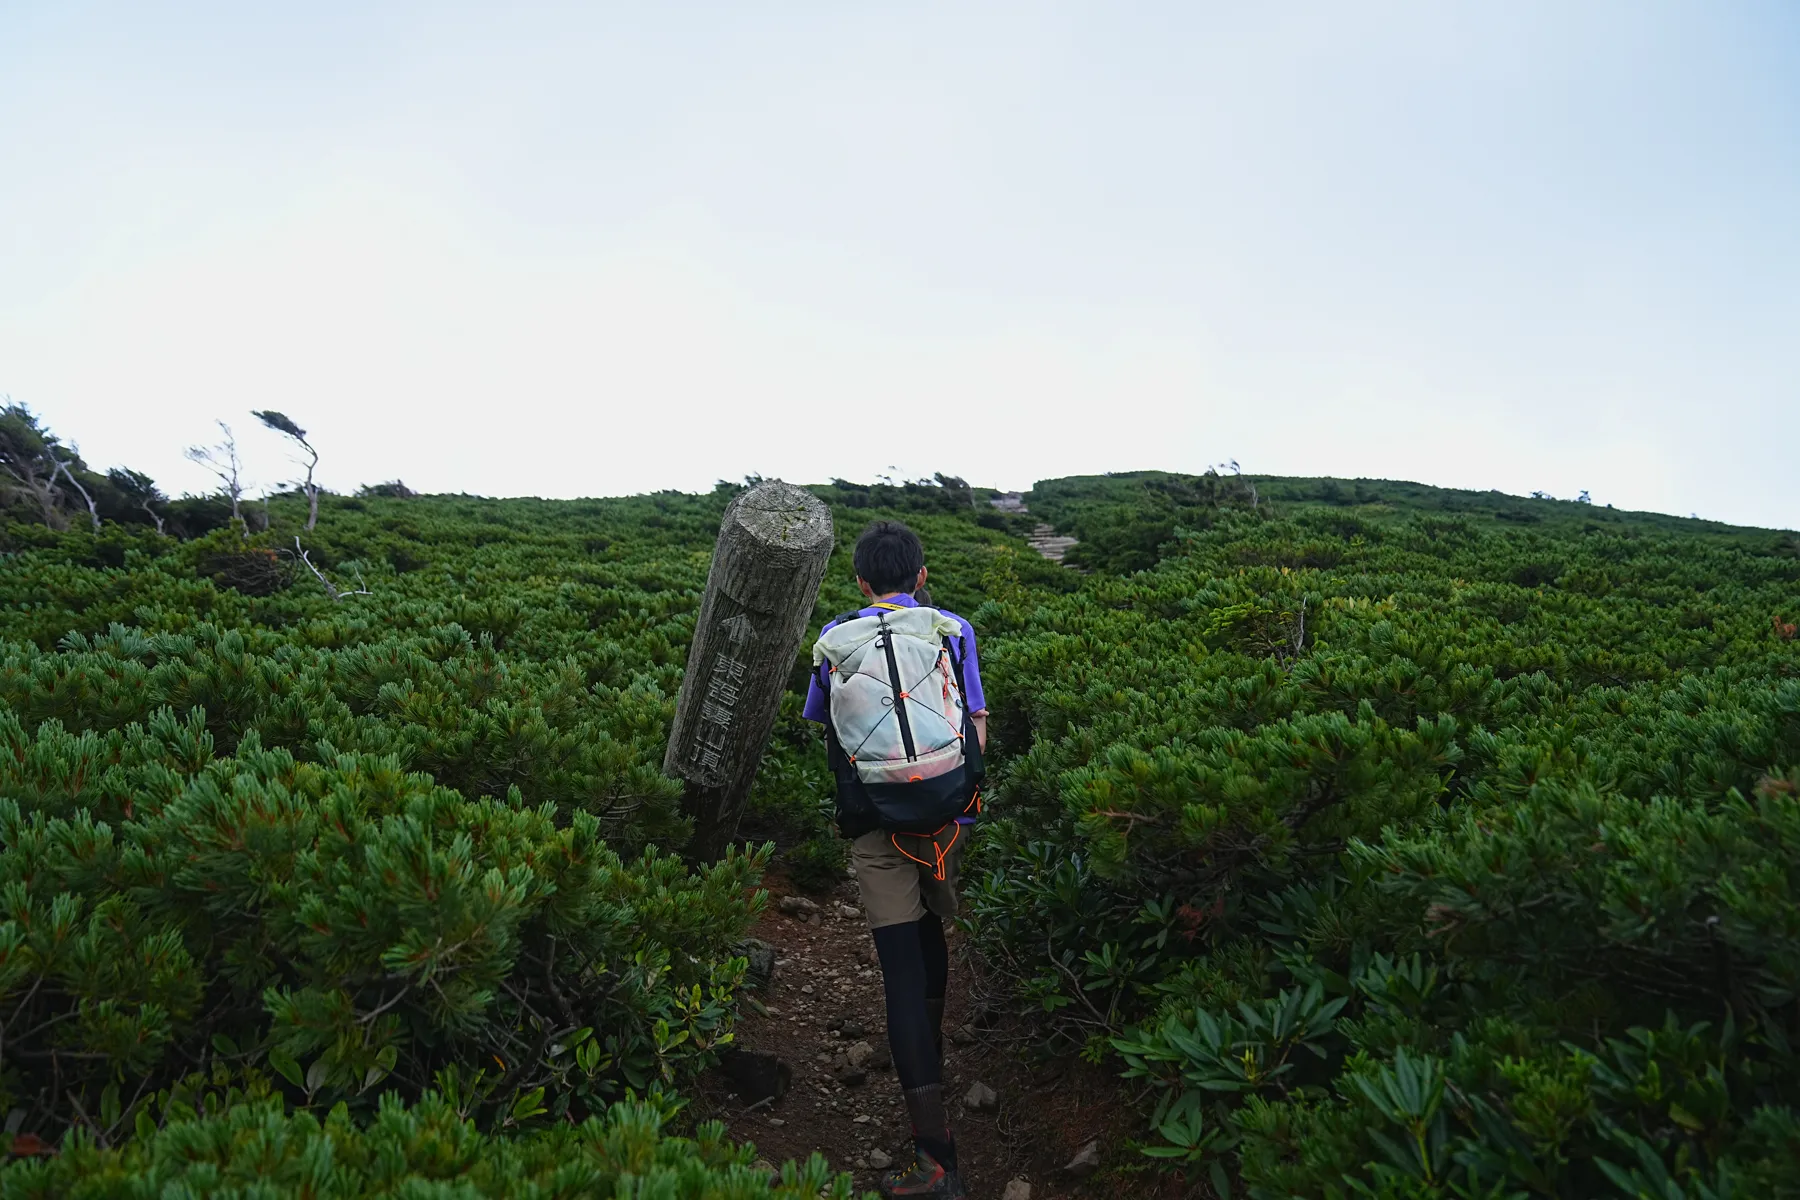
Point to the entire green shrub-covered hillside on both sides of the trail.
(1385, 841)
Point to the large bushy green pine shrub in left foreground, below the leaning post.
(352, 929)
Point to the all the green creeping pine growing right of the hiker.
(1416, 855)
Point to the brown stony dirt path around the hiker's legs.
(825, 978)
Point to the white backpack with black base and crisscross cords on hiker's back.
(899, 715)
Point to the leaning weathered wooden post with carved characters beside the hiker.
(760, 591)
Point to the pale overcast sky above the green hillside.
(602, 249)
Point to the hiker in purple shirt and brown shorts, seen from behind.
(899, 694)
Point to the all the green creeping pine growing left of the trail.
(388, 872)
